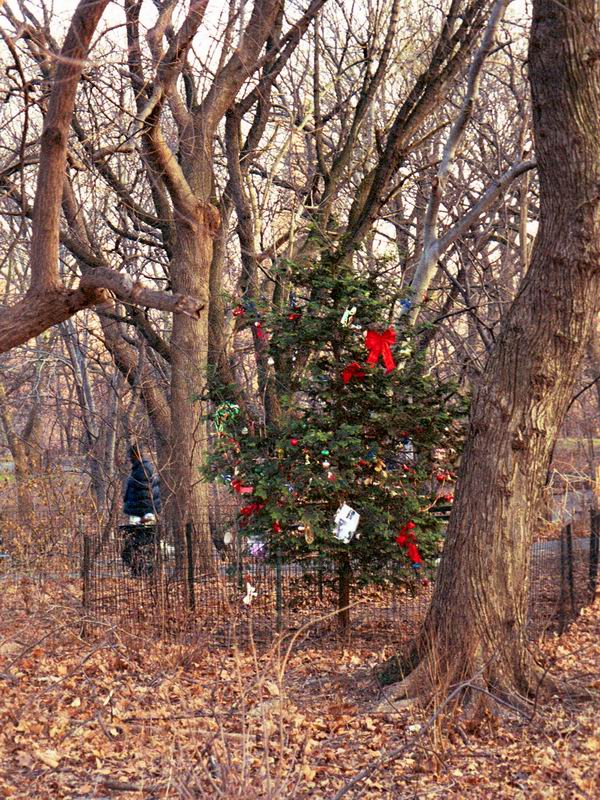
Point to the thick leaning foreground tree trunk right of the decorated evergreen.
(476, 623)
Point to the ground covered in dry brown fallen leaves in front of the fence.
(117, 716)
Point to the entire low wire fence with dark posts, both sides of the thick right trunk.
(239, 588)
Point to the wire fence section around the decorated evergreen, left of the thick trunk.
(236, 591)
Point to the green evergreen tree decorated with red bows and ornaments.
(366, 434)
